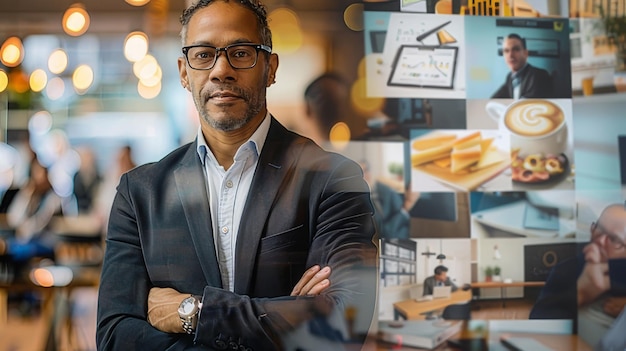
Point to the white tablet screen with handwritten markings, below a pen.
(424, 66)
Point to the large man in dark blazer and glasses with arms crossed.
(247, 236)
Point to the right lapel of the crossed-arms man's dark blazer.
(271, 170)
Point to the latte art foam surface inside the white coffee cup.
(533, 118)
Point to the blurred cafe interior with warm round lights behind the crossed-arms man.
(90, 89)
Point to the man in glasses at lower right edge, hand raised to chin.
(577, 282)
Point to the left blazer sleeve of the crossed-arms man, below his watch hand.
(124, 285)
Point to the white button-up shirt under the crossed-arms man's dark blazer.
(227, 192)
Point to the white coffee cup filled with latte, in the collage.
(535, 126)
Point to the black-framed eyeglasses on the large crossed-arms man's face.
(239, 56)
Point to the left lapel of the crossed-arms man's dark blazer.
(191, 186)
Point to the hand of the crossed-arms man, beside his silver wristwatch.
(163, 309)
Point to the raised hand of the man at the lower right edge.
(594, 279)
